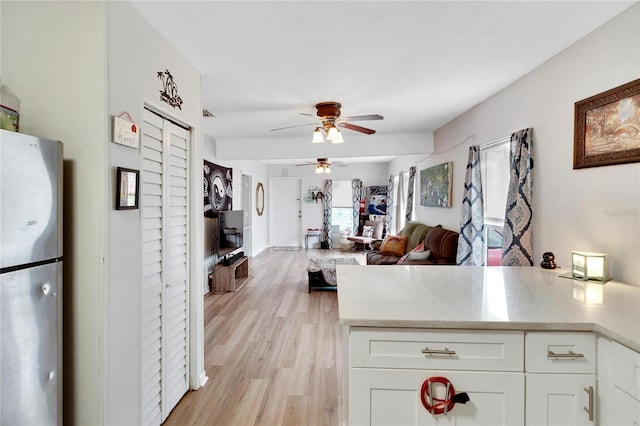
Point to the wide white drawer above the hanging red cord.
(437, 349)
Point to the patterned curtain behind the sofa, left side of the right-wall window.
(471, 239)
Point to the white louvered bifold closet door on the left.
(165, 151)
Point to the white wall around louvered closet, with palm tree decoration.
(136, 54)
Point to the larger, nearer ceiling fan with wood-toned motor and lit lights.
(329, 115)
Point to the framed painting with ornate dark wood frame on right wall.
(607, 127)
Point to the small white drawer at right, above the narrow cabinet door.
(553, 352)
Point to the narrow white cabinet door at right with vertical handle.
(559, 399)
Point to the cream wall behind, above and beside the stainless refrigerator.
(53, 60)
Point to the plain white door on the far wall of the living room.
(285, 212)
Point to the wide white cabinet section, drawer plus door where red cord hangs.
(387, 367)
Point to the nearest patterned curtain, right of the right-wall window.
(517, 243)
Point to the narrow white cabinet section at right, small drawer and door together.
(560, 378)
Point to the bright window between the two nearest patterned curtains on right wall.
(494, 164)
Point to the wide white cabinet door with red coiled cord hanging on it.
(392, 397)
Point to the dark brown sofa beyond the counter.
(443, 244)
